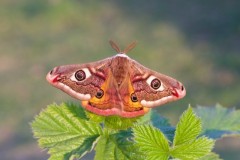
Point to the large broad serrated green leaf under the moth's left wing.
(64, 130)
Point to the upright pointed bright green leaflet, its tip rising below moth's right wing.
(188, 128)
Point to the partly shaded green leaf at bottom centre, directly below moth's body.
(116, 147)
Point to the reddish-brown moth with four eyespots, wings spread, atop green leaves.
(117, 85)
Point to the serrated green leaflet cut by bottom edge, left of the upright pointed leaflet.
(151, 141)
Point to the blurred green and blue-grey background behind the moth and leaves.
(197, 42)
